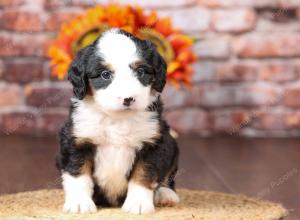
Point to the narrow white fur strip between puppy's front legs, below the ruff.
(112, 166)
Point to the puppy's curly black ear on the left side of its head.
(77, 73)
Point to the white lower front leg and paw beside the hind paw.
(139, 199)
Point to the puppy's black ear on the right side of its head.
(160, 68)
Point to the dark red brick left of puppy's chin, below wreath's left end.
(46, 96)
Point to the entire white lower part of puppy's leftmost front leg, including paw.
(78, 194)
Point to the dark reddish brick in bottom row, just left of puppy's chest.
(51, 122)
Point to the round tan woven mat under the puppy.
(47, 204)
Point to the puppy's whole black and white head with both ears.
(120, 72)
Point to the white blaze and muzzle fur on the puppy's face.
(119, 51)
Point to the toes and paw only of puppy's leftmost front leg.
(79, 205)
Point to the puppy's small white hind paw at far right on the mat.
(164, 196)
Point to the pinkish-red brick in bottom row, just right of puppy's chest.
(188, 121)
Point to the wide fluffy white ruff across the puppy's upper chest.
(102, 130)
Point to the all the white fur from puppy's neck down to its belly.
(117, 139)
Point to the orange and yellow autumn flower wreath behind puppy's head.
(172, 44)
